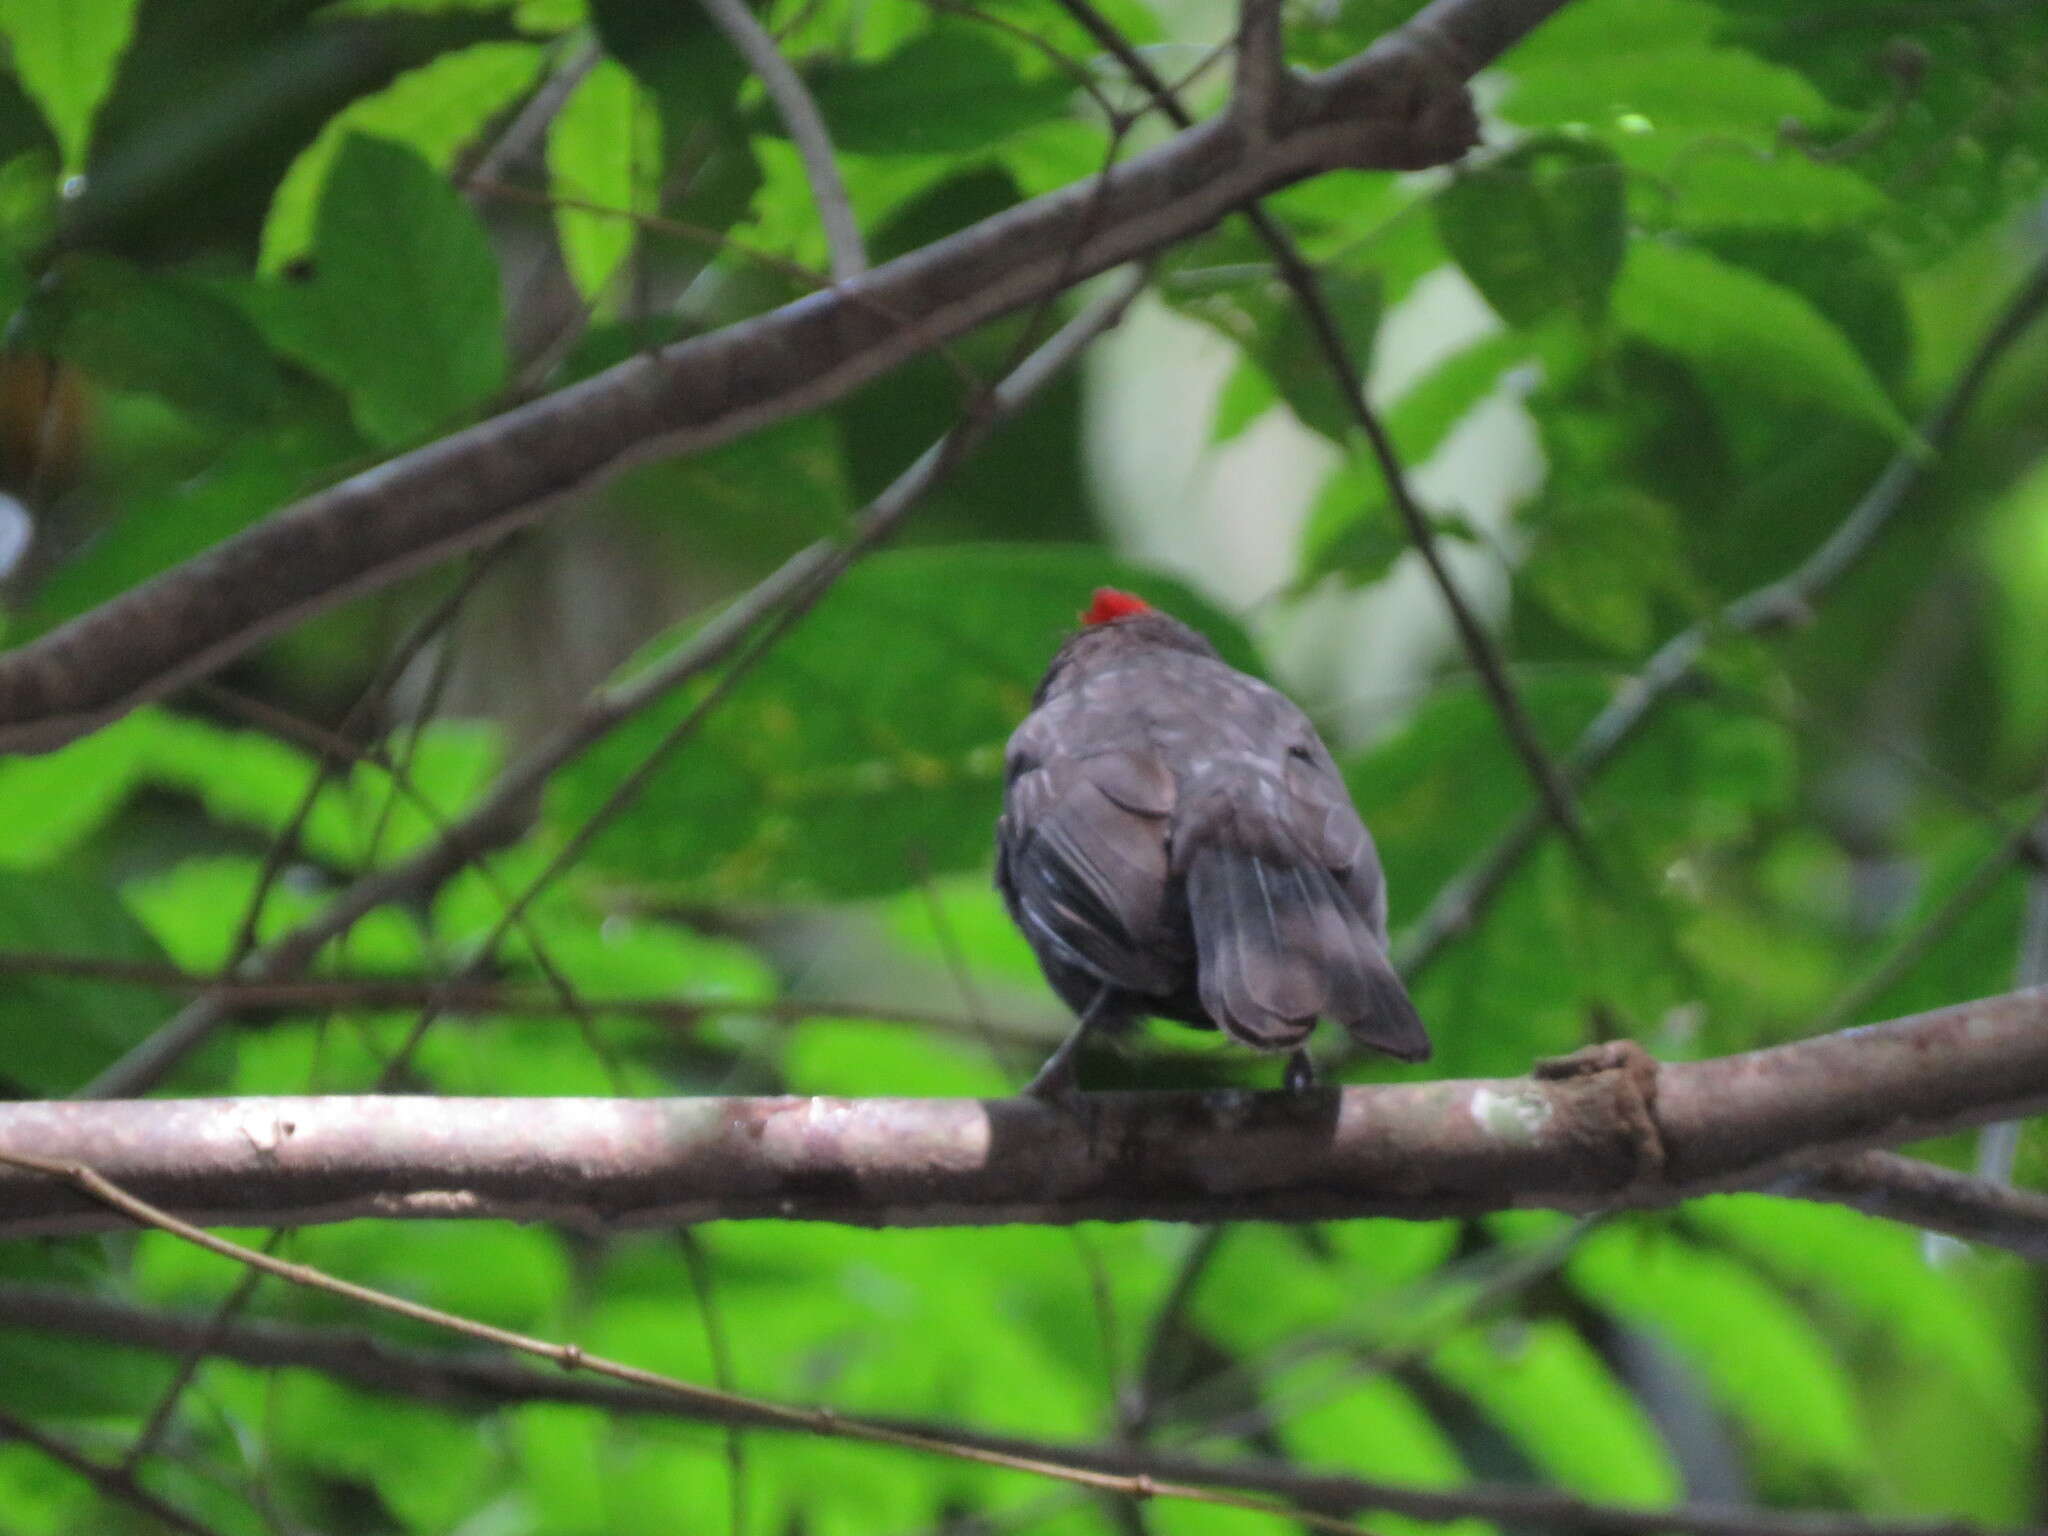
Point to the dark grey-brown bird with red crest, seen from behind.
(1179, 843)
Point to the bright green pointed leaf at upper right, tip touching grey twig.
(1748, 333)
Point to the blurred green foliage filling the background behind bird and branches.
(1725, 253)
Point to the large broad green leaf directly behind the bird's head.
(869, 744)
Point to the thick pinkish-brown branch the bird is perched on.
(1596, 1132)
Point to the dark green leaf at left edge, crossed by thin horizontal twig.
(58, 1033)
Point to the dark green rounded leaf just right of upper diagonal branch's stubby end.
(1541, 230)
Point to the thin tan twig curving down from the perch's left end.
(570, 1357)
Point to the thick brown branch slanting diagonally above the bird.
(1400, 105)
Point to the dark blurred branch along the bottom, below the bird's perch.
(482, 1381)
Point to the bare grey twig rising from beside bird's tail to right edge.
(1768, 609)
